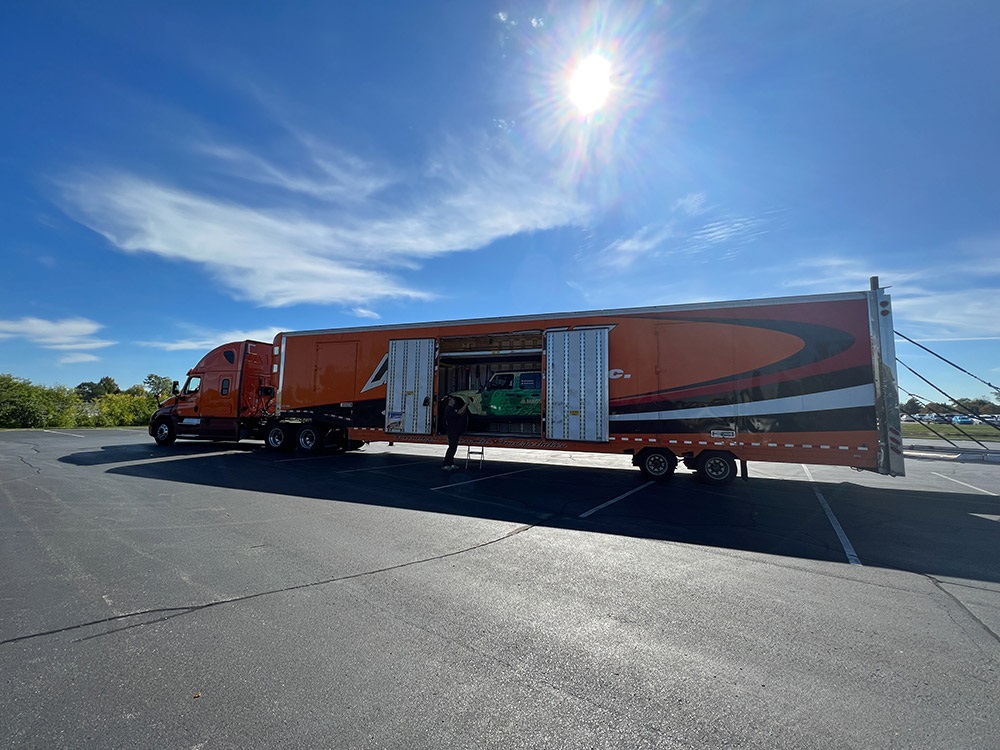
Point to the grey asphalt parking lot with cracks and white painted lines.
(227, 596)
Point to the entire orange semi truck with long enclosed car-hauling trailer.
(800, 379)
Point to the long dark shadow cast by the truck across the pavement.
(934, 533)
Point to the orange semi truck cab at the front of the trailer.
(227, 396)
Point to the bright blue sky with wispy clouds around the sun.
(174, 175)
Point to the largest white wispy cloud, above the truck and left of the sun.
(347, 243)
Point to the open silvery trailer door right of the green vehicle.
(576, 385)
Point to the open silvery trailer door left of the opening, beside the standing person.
(410, 386)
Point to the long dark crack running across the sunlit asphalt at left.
(162, 614)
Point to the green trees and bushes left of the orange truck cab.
(24, 404)
